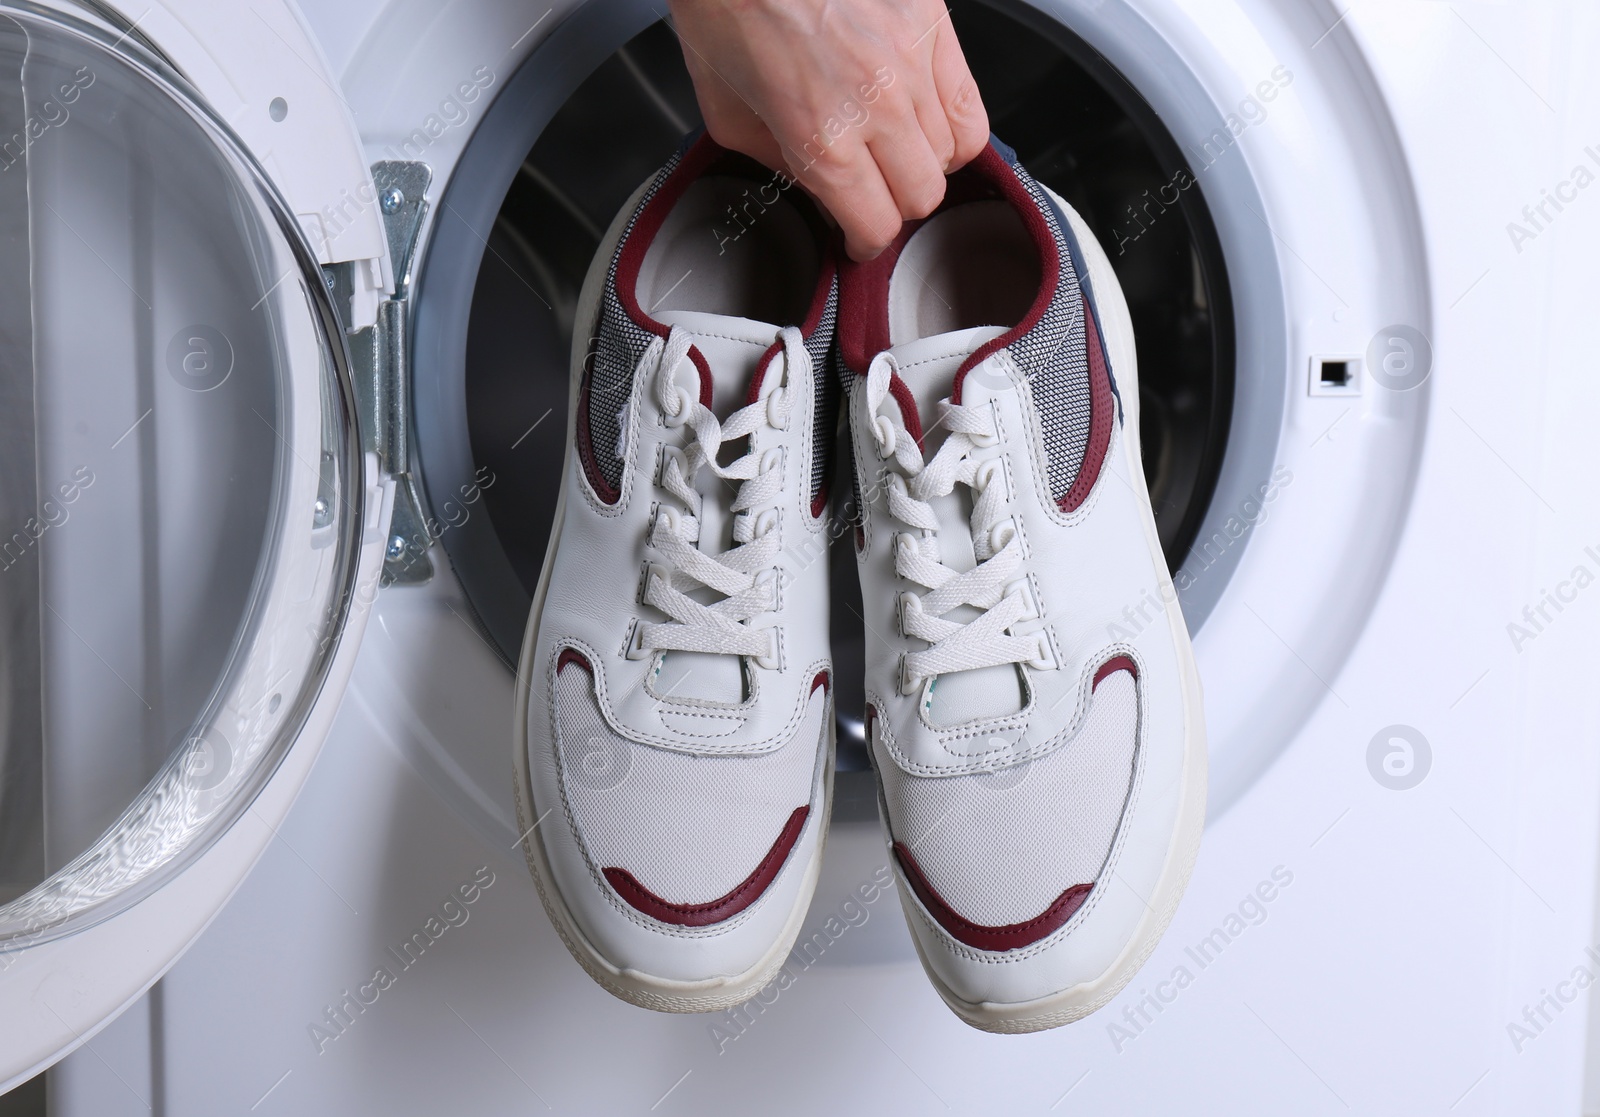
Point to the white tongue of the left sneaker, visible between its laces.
(734, 351)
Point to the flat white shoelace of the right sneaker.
(991, 585)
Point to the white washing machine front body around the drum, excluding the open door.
(1394, 905)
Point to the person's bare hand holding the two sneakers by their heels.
(866, 103)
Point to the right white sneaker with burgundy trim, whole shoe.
(1041, 758)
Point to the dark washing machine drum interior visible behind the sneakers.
(495, 321)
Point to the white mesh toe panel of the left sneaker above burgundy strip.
(689, 828)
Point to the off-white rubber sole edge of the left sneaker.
(634, 987)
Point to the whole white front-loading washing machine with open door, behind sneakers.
(289, 302)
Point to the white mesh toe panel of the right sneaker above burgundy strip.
(1001, 847)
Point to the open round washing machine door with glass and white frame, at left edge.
(182, 519)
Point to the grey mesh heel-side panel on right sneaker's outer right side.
(1055, 359)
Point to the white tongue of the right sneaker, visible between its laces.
(929, 367)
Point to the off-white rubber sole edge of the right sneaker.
(1185, 849)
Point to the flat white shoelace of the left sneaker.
(745, 575)
